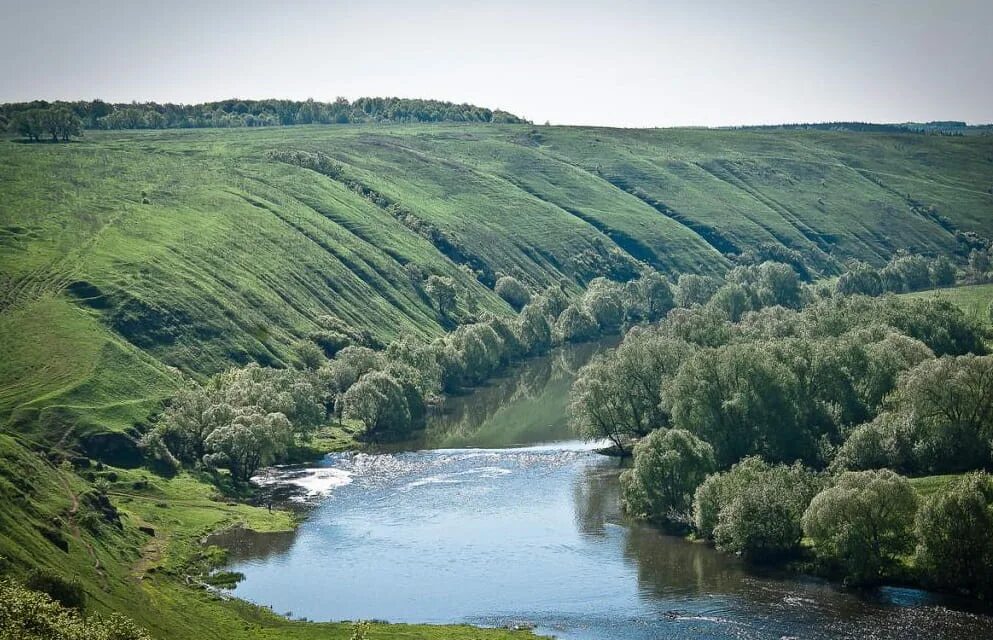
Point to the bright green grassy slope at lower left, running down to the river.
(143, 576)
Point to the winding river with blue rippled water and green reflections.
(532, 534)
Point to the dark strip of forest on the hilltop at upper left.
(97, 114)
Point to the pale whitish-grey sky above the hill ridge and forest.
(617, 63)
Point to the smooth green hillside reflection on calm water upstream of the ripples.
(541, 383)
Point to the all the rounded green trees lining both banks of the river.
(769, 415)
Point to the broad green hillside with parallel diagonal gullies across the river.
(129, 257)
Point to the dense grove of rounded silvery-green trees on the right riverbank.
(794, 424)
